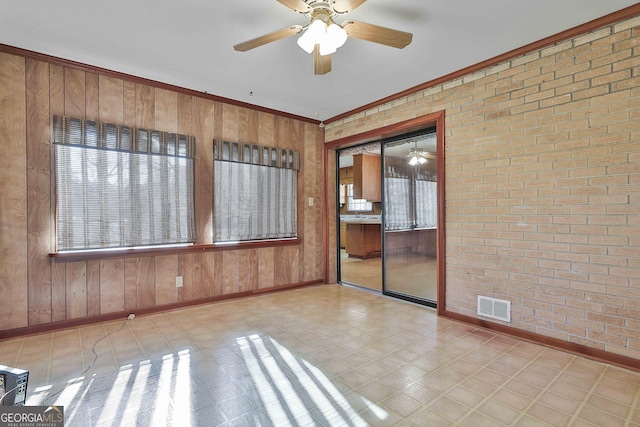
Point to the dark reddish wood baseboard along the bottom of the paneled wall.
(73, 323)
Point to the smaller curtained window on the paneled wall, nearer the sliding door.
(255, 191)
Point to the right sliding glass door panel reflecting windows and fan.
(410, 207)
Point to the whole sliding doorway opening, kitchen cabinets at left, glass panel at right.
(388, 213)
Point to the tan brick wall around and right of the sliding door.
(543, 186)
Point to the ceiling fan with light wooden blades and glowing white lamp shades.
(322, 35)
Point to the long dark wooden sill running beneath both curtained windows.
(197, 248)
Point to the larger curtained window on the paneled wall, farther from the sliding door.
(122, 187)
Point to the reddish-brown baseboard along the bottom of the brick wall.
(577, 349)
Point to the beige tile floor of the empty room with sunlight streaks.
(325, 355)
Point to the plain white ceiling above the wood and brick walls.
(189, 43)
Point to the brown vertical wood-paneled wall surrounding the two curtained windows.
(37, 290)
